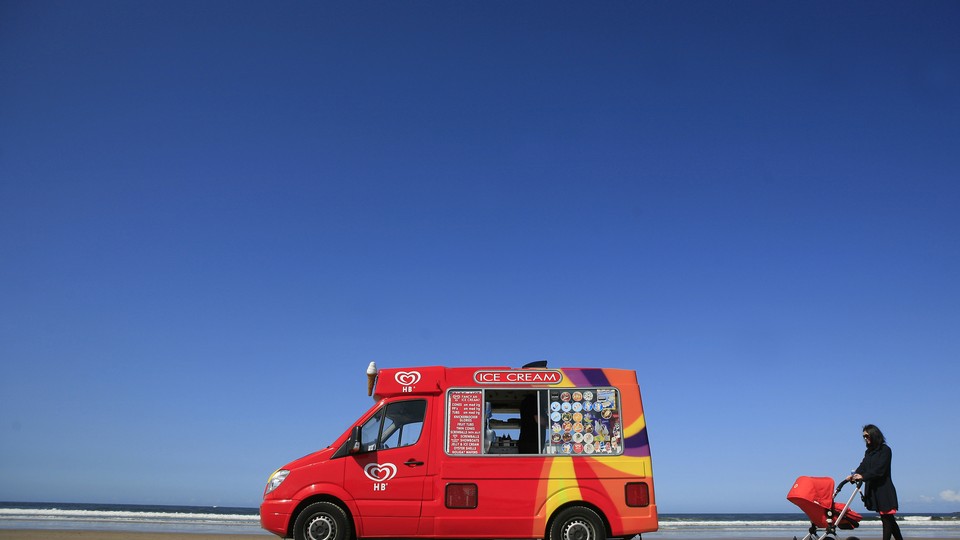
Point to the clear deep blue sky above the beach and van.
(213, 215)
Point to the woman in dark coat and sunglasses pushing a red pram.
(879, 494)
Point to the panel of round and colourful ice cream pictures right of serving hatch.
(585, 421)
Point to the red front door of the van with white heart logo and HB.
(386, 478)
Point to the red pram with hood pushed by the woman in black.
(815, 496)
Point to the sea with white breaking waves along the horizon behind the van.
(246, 521)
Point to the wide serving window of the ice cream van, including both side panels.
(558, 421)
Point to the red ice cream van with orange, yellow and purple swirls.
(488, 452)
